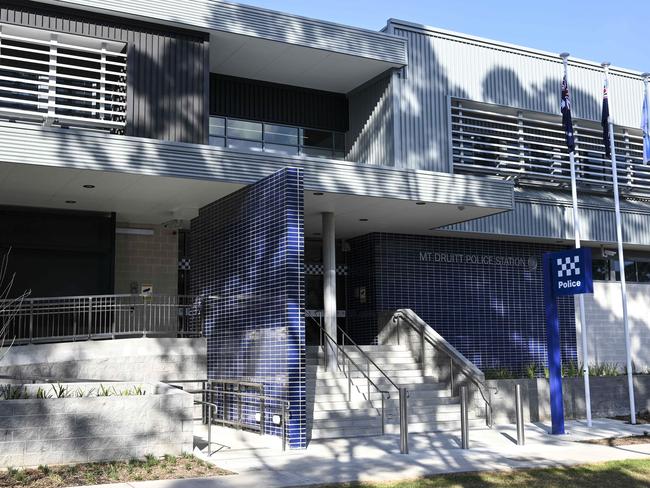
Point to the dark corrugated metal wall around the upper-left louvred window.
(167, 71)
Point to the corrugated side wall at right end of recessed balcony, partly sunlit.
(371, 136)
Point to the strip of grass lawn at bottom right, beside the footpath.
(615, 474)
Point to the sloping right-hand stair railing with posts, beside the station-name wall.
(457, 362)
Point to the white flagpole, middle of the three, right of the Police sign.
(621, 258)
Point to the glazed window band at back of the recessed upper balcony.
(276, 138)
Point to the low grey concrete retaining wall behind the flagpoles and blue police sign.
(609, 397)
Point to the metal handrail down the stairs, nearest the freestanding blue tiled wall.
(345, 364)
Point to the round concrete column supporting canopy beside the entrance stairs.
(329, 285)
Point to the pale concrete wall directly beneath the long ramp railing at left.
(141, 359)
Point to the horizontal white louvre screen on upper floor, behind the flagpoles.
(530, 148)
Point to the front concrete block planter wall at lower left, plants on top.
(77, 430)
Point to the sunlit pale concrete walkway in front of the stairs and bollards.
(260, 461)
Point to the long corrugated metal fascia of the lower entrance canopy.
(105, 152)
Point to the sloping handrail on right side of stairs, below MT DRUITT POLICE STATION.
(465, 366)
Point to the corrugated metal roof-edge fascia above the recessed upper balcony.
(258, 22)
